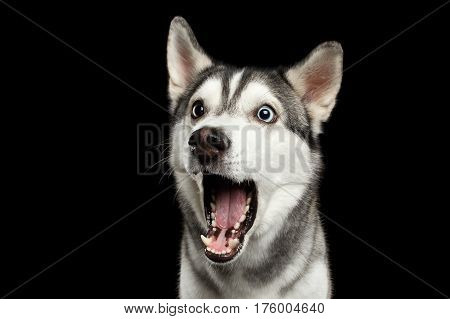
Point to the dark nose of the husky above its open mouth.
(208, 143)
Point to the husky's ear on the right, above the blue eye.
(317, 80)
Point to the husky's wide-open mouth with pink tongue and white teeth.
(230, 210)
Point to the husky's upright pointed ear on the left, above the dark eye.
(185, 57)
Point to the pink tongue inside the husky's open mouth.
(230, 204)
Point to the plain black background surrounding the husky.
(69, 141)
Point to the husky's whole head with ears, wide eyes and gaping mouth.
(244, 141)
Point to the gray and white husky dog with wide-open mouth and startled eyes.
(245, 153)
